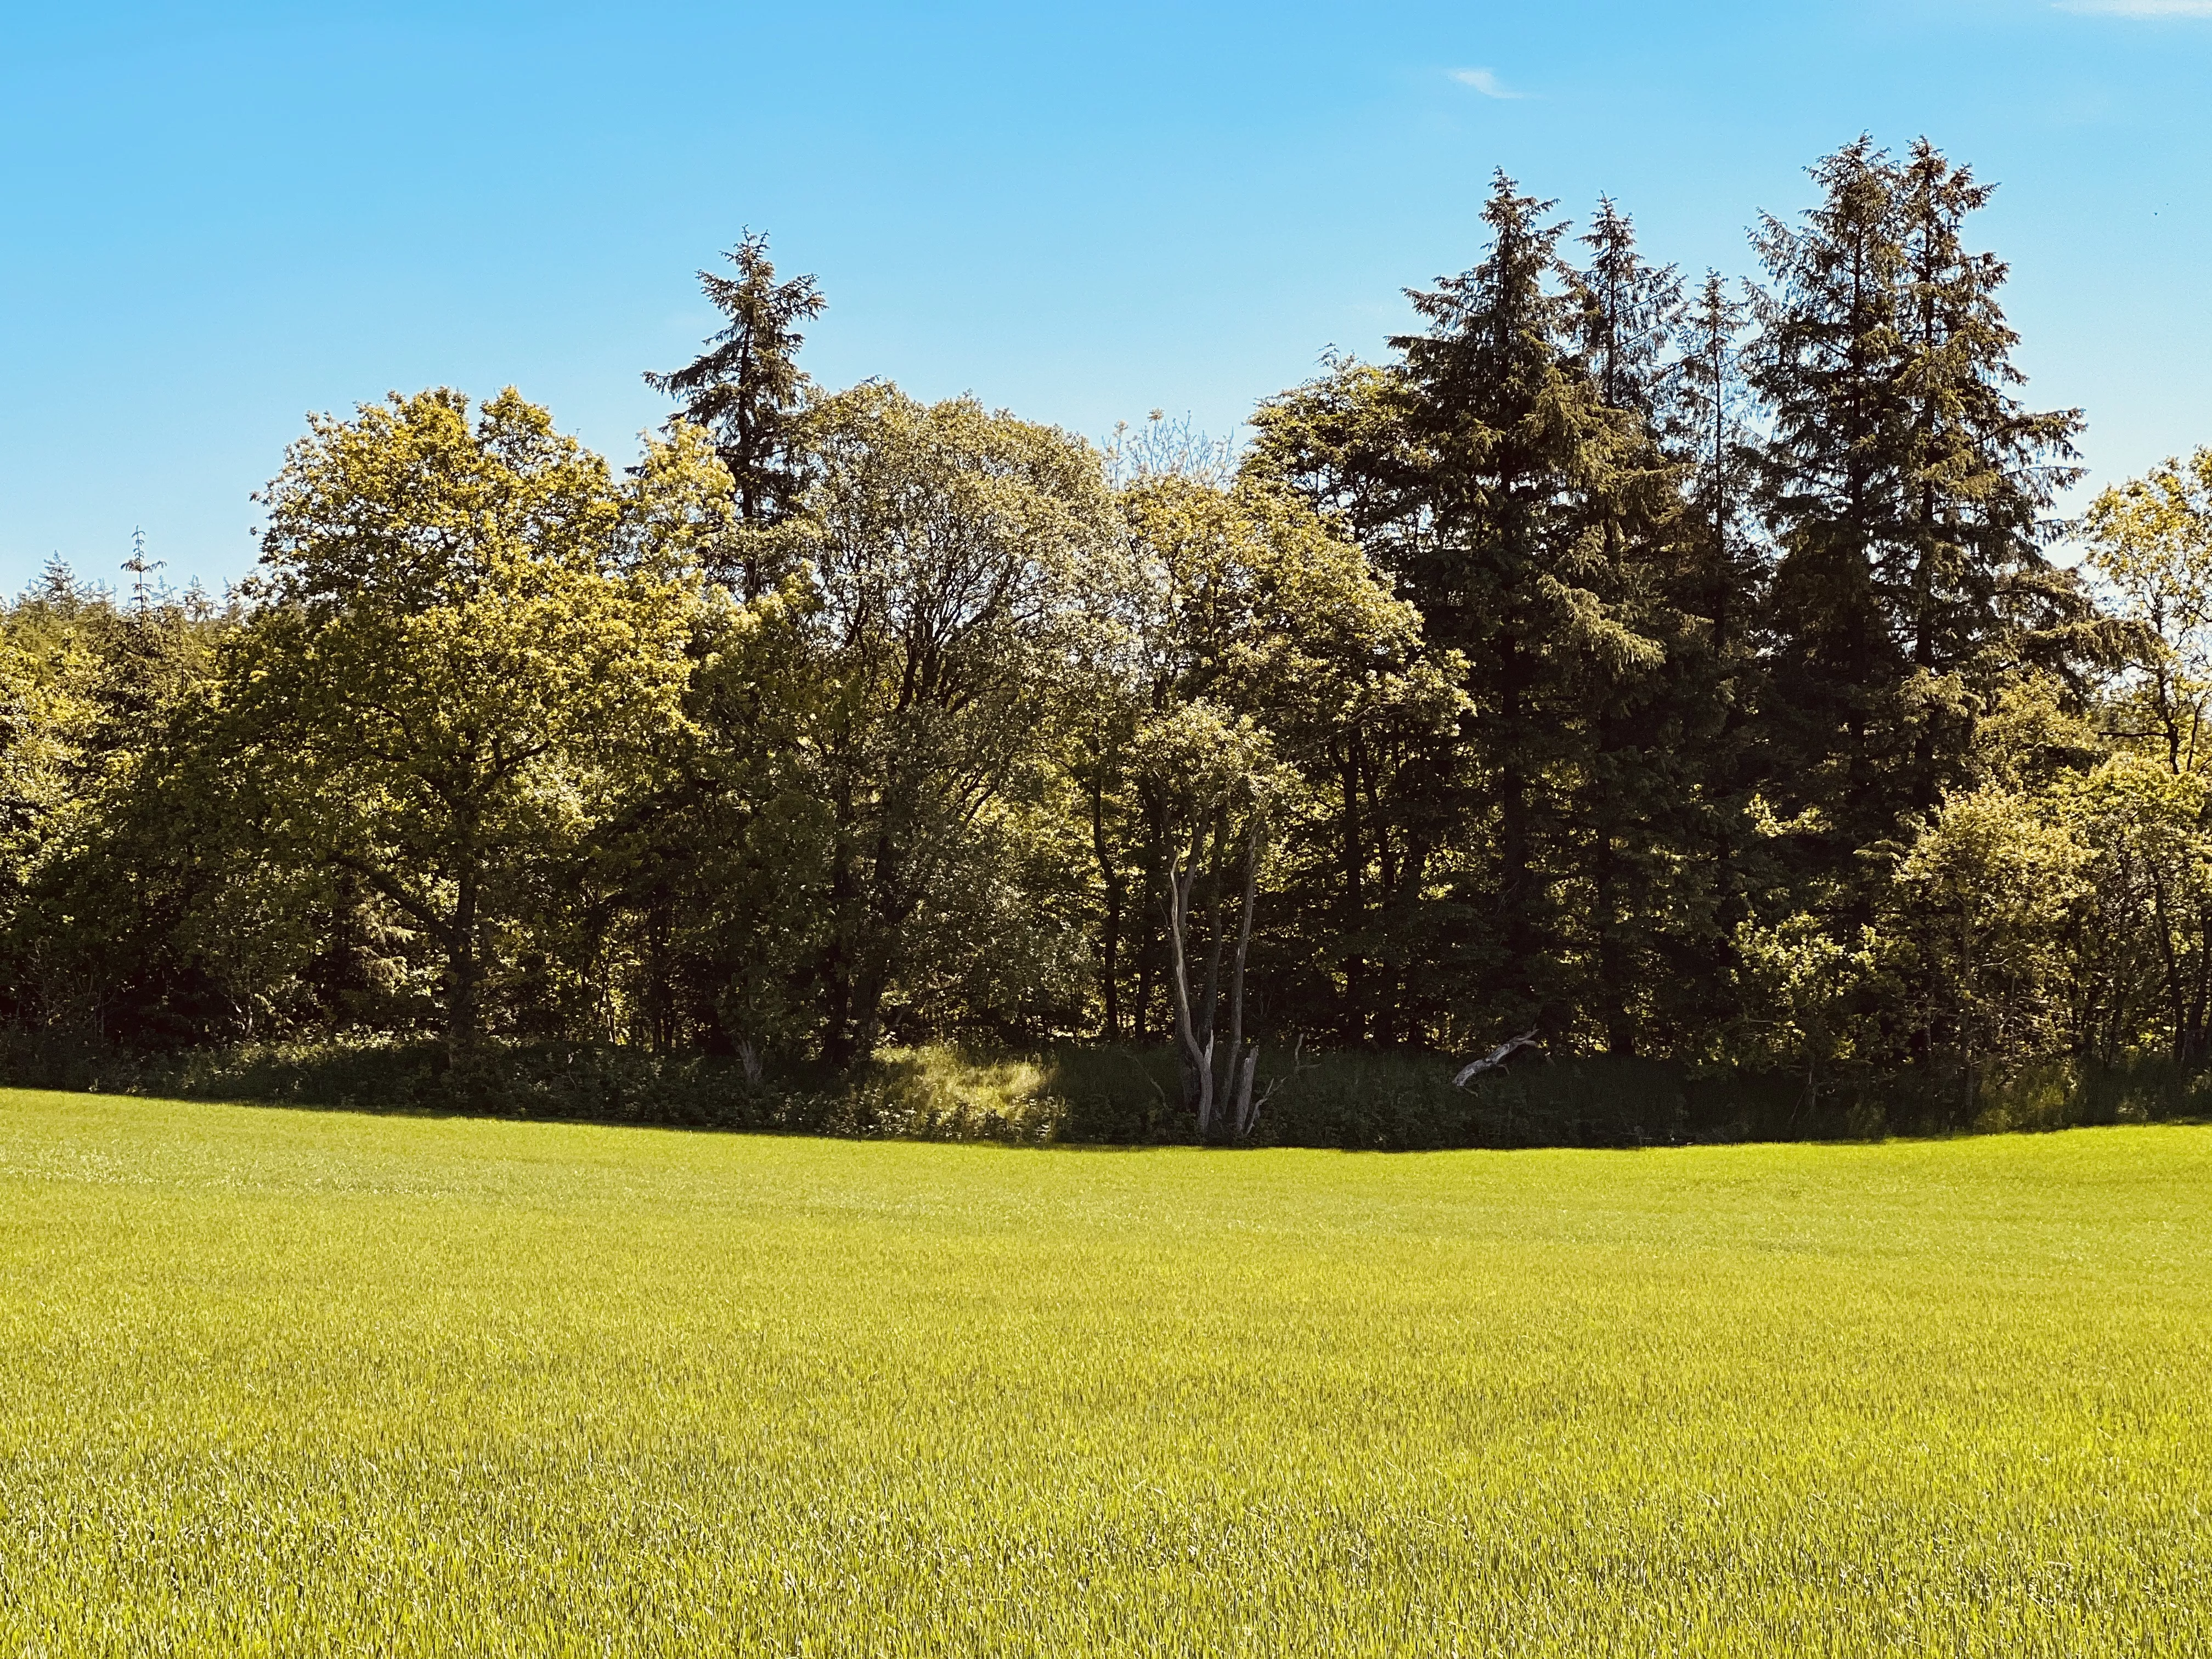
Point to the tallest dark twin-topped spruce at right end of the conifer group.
(1906, 488)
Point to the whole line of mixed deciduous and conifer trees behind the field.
(1625, 665)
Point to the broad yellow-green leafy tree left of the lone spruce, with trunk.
(468, 640)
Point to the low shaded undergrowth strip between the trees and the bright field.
(1125, 1096)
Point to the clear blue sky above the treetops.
(218, 218)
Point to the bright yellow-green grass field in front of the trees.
(295, 1384)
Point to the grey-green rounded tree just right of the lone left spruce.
(966, 572)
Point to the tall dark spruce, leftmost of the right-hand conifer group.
(1525, 466)
